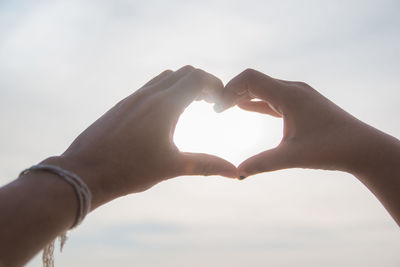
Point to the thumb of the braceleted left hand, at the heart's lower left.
(205, 164)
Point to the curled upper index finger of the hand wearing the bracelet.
(193, 85)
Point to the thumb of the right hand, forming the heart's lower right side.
(270, 160)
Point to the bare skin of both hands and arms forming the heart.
(130, 149)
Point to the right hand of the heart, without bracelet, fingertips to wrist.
(317, 133)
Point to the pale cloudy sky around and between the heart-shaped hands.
(64, 63)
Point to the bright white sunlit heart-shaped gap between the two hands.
(234, 134)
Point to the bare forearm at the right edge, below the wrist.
(378, 167)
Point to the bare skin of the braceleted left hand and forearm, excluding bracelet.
(128, 150)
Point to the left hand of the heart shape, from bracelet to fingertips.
(130, 148)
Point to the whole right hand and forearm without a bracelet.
(317, 134)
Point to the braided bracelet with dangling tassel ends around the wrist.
(84, 197)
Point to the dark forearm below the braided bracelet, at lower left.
(35, 209)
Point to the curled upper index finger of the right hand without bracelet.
(250, 84)
